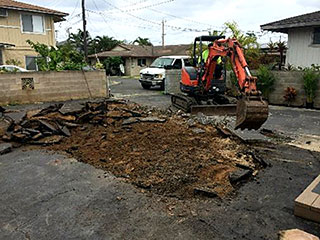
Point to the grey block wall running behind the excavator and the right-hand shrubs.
(283, 80)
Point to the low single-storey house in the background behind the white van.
(137, 57)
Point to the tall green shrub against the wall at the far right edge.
(310, 84)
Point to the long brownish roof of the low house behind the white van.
(130, 50)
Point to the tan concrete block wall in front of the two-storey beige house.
(52, 86)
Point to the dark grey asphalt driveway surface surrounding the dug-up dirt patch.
(46, 195)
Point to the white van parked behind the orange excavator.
(154, 75)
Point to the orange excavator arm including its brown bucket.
(252, 110)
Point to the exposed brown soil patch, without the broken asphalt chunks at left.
(169, 158)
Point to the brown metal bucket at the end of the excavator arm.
(252, 112)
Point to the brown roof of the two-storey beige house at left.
(10, 4)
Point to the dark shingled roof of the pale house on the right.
(305, 20)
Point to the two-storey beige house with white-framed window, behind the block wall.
(20, 22)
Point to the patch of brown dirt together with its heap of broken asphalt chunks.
(170, 155)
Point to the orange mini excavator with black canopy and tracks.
(203, 85)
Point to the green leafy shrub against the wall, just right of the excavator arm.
(265, 81)
